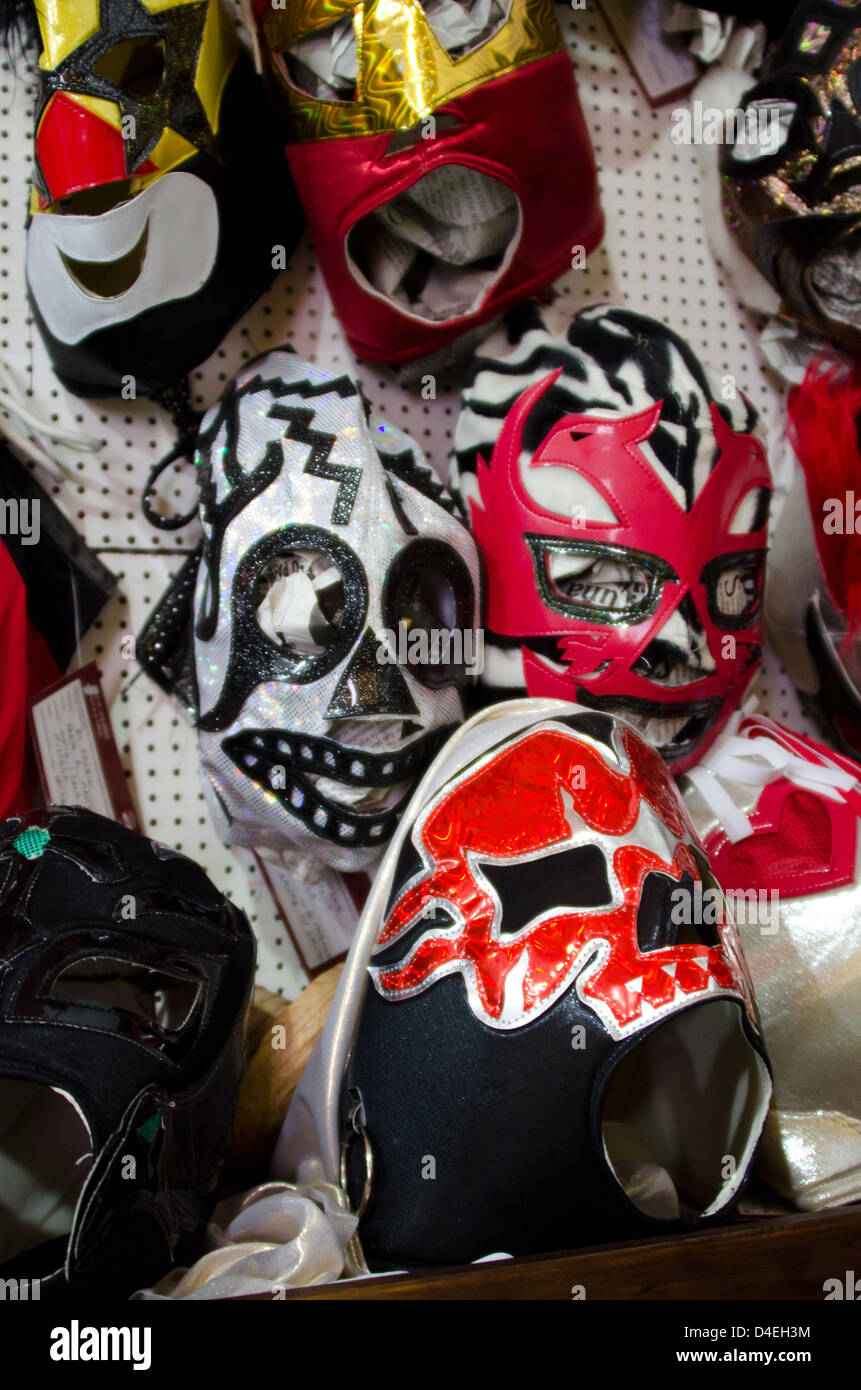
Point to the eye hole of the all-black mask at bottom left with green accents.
(155, 997)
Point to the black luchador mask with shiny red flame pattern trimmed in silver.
(522, 985)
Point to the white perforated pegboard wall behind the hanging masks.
(654, 259)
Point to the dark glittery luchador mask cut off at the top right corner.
(792, 184)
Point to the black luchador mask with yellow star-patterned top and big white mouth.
(151, 231)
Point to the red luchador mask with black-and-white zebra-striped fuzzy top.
(620, 512)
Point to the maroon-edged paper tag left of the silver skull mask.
(76, 749)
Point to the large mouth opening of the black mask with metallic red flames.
(684, 1113)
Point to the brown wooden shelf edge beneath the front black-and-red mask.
(788, 1257)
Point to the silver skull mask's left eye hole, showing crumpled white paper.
(300, 603)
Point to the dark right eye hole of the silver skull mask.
(429, 612)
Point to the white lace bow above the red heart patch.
(756, 762)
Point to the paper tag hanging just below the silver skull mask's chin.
(321, 918)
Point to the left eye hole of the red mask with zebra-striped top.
(597, 582)
